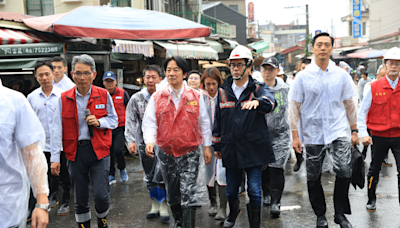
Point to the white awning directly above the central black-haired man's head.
(188, 50)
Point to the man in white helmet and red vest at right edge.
(380, 113)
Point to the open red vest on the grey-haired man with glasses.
(101, 139)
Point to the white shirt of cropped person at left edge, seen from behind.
(19, 128)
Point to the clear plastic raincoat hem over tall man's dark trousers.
(334, 157)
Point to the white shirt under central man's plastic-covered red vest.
(149, 124)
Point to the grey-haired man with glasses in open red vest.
(86, 140)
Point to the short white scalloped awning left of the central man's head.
(134, 47)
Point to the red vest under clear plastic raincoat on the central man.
(178, 131)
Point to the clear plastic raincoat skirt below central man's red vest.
(184, 178)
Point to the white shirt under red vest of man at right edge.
(366, 105)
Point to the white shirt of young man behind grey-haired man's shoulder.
(45, 108)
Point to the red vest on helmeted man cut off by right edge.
(384, 115)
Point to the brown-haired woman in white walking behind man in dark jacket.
(215, 172)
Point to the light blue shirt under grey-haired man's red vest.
(110, 121)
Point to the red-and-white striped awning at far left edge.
(9, 36)
